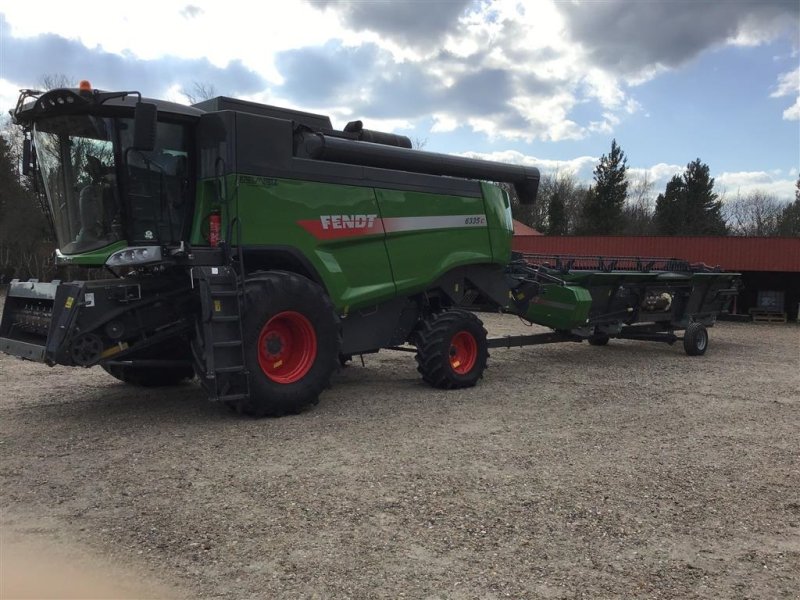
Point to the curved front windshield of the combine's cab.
(77, 162)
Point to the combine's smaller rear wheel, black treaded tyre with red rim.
(452, 349)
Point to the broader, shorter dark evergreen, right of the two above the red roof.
(689, 205)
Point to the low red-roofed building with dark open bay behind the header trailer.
(770, 267)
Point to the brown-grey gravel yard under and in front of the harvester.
(571, 471)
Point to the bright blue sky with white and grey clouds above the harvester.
(547, 83)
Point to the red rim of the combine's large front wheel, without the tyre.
(287, 347)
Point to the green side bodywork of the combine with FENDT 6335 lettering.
(387, 243)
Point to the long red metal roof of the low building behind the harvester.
(730, 253)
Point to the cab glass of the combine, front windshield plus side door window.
(93, 201)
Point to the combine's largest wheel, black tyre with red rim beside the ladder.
(291, 343)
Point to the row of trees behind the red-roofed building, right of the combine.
(615, 203)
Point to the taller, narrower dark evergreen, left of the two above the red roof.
(602, 213)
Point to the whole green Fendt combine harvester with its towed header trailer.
(257, 248)
